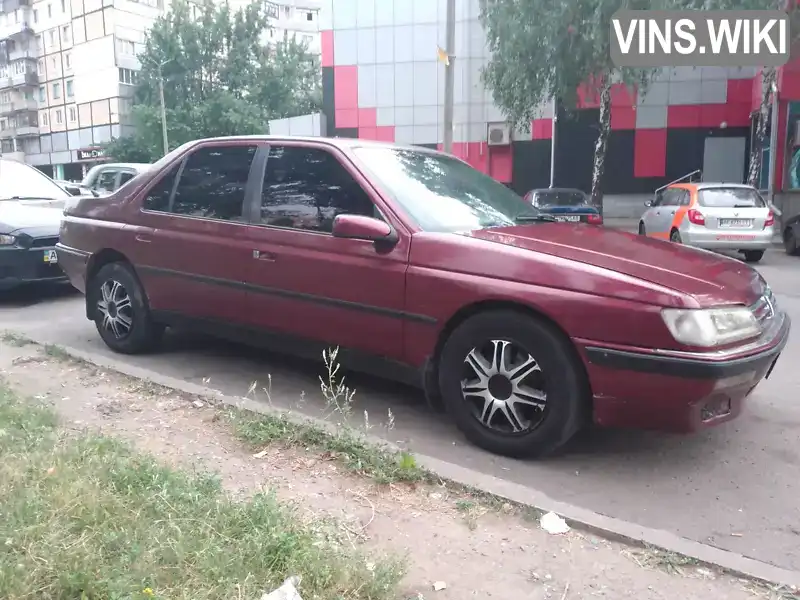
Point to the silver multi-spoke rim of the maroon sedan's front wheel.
(504, 387)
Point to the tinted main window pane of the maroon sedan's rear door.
(213, 183)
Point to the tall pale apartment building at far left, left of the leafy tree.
(67, 74)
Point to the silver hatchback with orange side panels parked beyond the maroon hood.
(714, 216)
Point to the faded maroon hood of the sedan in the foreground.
(711, 279)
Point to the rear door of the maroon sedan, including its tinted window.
(190, 244)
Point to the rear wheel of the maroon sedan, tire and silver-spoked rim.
(121, 314)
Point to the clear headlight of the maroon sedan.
(711, 327)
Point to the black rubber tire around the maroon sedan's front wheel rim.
(568, 400)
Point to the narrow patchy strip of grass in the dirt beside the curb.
(347, 446)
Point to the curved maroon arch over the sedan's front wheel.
(430, 379)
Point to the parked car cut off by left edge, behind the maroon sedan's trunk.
(31, 206)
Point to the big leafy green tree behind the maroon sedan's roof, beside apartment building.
(220, 78)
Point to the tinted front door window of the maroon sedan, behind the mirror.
(306, 188)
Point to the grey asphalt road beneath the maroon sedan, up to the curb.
(735, 487)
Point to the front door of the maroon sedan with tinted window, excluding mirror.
(304, 281)
